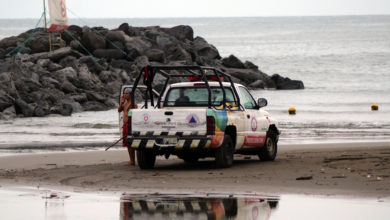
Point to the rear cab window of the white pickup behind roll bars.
(198, 96)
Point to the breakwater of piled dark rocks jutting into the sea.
(37, 82)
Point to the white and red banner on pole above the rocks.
(58, 16)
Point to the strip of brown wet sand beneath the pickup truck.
(356, 170)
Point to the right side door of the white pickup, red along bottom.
(254, 137)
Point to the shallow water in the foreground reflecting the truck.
(48, 204)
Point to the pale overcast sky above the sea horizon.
(198, 8)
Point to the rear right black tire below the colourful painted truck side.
(224, 154)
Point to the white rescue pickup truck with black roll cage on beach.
(198, 112)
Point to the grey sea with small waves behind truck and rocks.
(344, 62)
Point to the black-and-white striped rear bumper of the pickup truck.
(158, 143)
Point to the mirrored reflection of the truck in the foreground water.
(179, 207)
